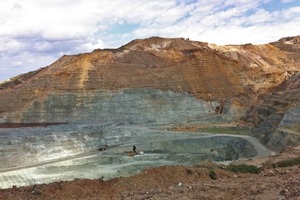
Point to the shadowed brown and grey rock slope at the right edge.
(277, 117)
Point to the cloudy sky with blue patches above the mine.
(35, 33)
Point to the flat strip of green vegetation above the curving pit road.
(227, 130)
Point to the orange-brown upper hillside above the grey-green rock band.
(207, 72)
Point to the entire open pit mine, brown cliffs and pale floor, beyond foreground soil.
(178, 101)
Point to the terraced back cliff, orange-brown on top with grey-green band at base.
(152, 80)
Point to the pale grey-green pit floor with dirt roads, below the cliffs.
(65, 152)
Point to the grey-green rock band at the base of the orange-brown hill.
(126, 106)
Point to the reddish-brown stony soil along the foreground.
(179, 182)
